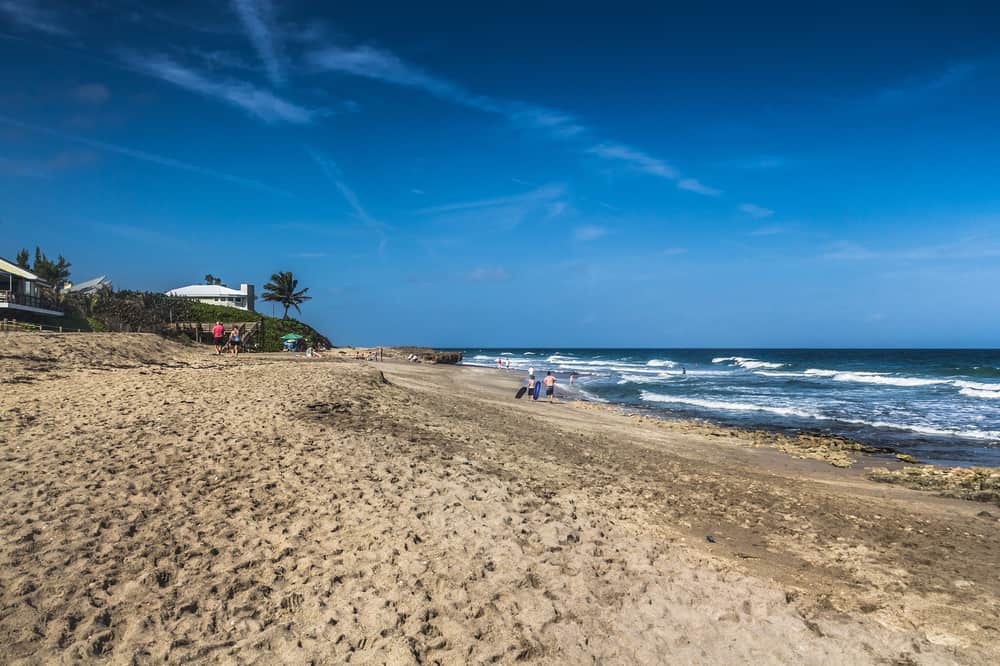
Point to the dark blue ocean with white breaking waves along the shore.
(942, 406)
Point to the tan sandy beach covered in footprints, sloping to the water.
(165, 504)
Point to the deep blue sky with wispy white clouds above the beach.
(454, 174)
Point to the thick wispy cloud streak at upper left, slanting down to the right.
(259, 103)
